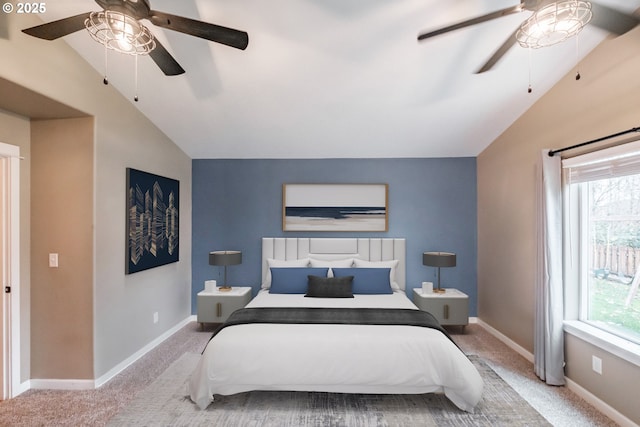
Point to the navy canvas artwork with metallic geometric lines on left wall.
(152, 220)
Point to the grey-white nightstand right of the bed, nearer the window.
(450, 307)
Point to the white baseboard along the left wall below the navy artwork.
(59, 384)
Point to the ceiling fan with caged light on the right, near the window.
(546, 12)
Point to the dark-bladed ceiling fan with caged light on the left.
(118, 27)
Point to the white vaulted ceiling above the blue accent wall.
(336, 78)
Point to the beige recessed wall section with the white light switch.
(62, 223)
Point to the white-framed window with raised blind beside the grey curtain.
(604, 215)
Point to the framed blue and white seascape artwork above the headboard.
(335, 207)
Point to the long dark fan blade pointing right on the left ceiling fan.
(215, 33)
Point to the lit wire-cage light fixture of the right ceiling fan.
(554, 23)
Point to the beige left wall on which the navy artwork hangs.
(122, 137)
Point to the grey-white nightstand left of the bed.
(216, 306)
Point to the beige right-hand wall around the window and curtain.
(603, 102)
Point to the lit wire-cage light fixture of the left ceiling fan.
(120, 32)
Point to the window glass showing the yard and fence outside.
(613, 239)
